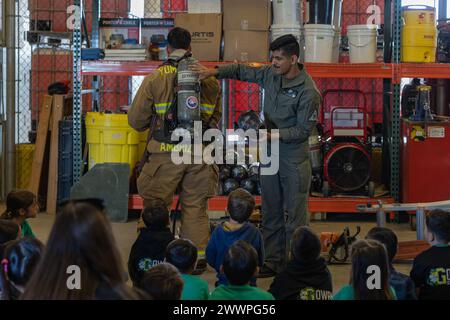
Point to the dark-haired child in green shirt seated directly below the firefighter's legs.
(182, 253)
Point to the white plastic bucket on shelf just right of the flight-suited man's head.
(319, 40)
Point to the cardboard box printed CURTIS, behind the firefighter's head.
(206, 31)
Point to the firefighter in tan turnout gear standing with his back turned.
(160, 176)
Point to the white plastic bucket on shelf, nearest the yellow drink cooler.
(362, 40)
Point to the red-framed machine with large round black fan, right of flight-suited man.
(346, 146)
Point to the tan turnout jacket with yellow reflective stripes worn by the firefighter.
(155, 97)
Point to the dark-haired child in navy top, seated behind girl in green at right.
(403, 285)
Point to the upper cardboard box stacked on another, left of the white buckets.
(252, 15)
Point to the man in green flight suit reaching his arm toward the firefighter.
(291, 105)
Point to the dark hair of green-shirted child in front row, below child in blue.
(240, 263)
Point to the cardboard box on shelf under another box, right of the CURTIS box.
(246, 46)
